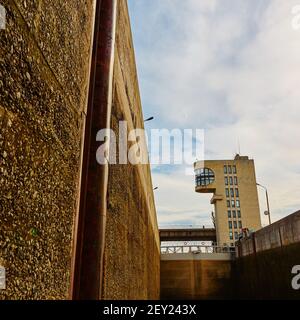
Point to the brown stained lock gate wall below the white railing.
(188, 276)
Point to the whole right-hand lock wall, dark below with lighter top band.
(263, 269)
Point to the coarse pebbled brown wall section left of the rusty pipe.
(44, 69)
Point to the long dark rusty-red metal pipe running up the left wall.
(90, 238)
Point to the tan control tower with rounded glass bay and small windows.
(235, 197)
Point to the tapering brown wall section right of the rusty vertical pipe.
(132, 255)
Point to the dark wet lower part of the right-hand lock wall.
(267, 275)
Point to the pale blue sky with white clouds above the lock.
(231, 68)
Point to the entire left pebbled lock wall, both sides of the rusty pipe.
(44, 76)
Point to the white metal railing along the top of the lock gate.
(196, 249)
